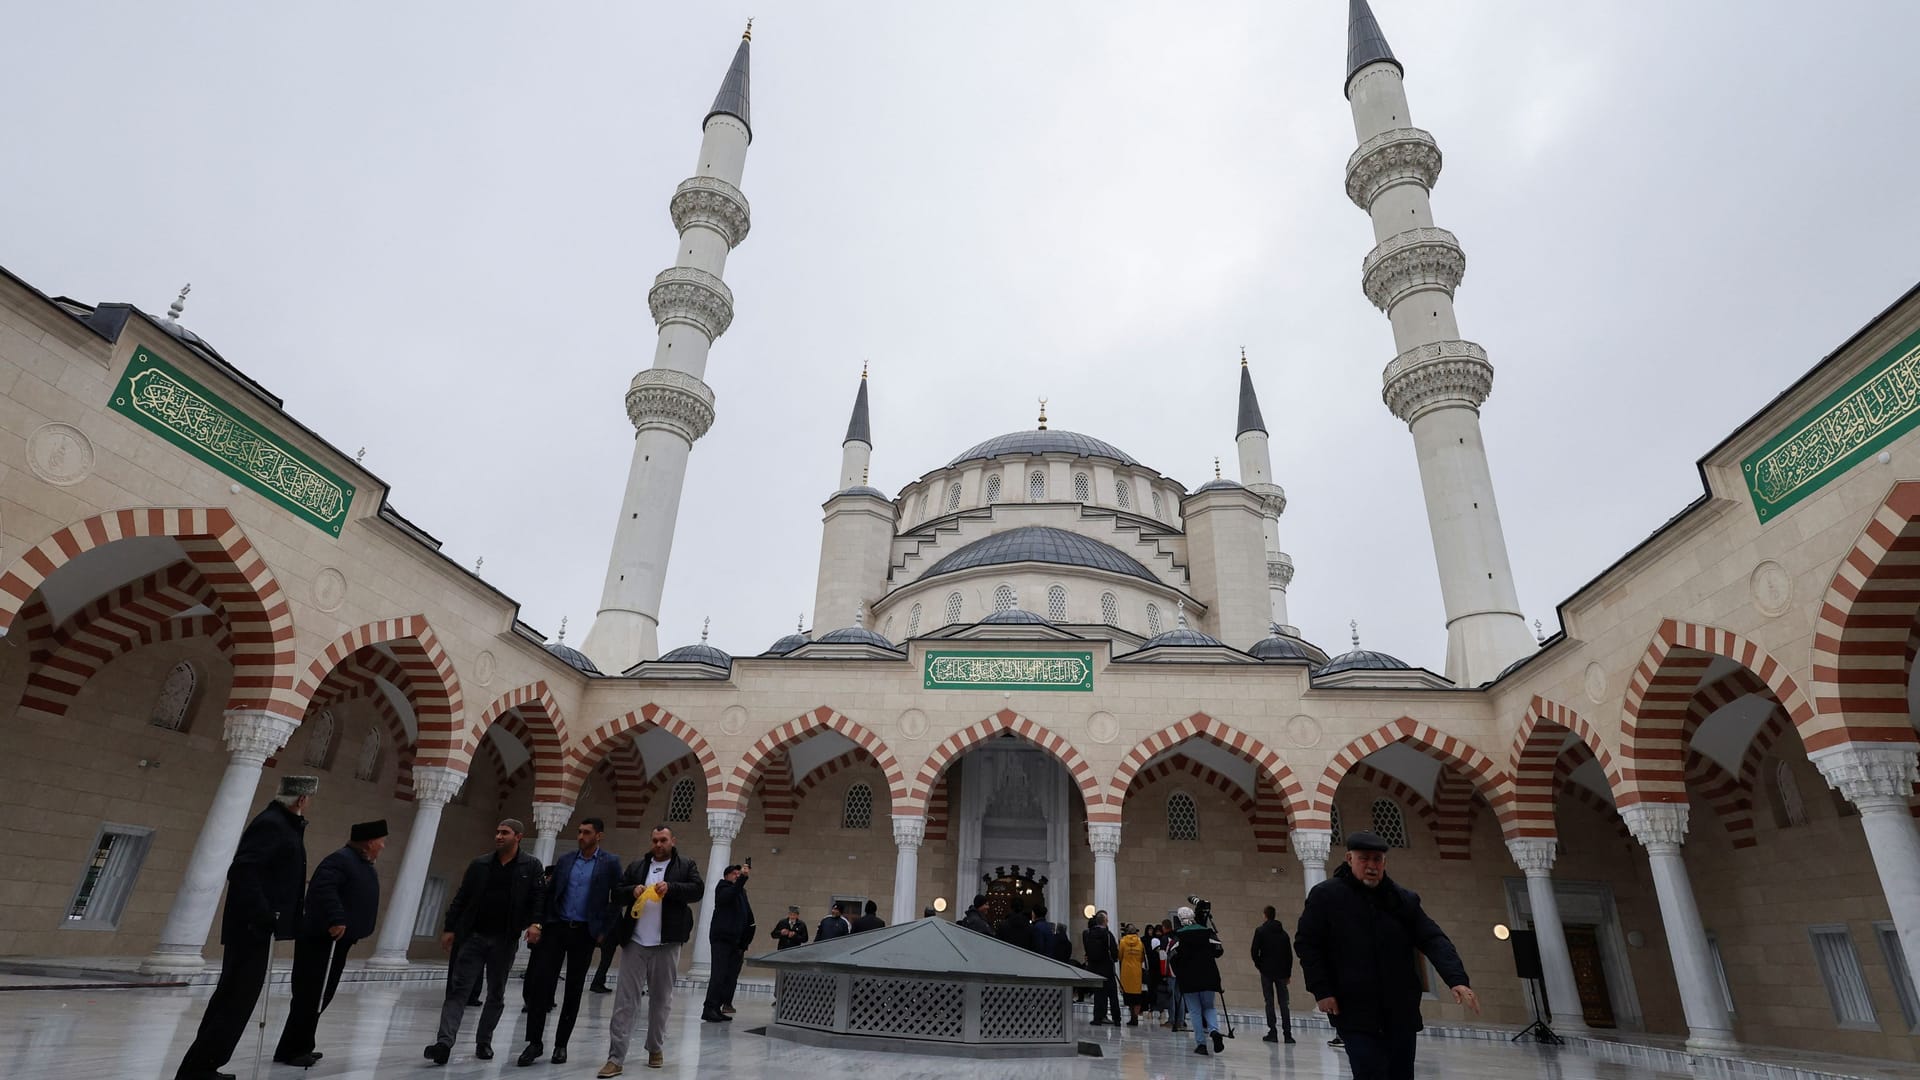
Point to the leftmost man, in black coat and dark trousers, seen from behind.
(264, 887)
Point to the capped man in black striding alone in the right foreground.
(1358, 939)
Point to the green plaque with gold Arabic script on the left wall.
(170, 405)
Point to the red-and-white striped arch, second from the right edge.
(1662, 693)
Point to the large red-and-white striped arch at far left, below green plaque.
(251, 599)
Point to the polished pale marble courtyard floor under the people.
(379, 1031)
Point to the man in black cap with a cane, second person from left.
(343, 906)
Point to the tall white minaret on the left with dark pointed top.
(669, 405)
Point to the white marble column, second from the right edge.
(1662, 831)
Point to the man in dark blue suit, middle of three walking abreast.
(577, 918)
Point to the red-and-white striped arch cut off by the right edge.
(1860, 645)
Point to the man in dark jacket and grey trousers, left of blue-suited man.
(498, 898)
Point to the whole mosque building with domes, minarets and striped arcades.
(1044, 670)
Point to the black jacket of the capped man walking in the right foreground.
(1358, 946)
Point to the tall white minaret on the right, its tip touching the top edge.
(1437, 381)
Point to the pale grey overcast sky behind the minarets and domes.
(431, 228)
